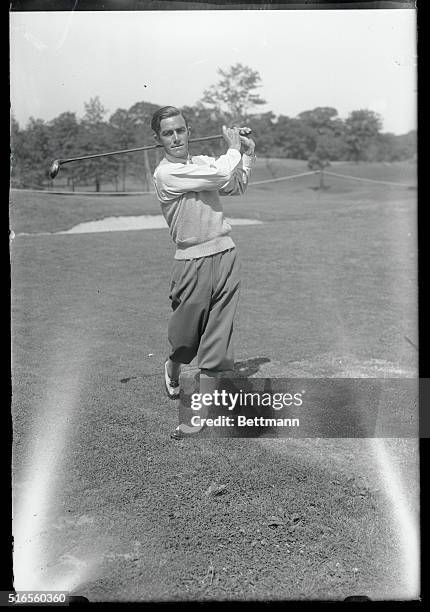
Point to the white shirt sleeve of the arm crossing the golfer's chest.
(173, 179)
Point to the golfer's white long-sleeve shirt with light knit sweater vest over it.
(189, 197)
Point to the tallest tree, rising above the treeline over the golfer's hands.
(234, 96)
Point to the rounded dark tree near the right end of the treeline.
(361, 128)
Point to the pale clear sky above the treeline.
(347, 59)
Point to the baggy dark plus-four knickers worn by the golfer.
(204, 293)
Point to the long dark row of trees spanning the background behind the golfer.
(318, 136)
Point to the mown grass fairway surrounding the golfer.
(329, 288)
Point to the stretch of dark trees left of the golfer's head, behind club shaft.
(35, 147)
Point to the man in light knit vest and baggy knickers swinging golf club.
(205, 279)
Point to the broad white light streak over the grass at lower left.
(40, 484)
